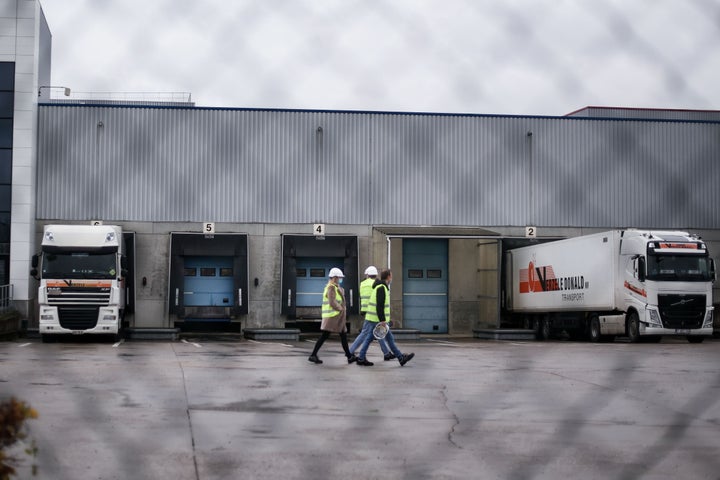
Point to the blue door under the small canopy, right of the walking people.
(425, 285)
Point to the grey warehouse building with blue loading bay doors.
(235, 216)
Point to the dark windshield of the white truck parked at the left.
(79, 265)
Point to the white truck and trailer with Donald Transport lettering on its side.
(634, 283)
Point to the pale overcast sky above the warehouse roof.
(537, 57)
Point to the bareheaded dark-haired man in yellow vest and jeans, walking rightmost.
(379, 312)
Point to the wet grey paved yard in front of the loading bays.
(462, 408)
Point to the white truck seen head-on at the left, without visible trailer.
(82, 270)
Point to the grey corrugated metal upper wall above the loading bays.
(164, 164)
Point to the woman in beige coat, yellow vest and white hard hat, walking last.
(333, 316)
